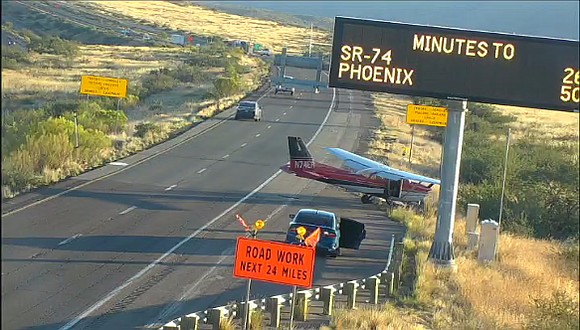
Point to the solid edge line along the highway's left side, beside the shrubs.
(125, 167)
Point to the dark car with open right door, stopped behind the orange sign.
(336, 232)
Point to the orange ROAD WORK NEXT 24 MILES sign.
(274, 262)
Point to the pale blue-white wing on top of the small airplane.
(365, 166)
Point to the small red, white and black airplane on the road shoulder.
(362, 175)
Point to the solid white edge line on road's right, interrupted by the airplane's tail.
(113, 293)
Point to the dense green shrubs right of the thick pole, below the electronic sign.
(541, 197)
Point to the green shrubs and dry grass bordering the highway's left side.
(170, 89)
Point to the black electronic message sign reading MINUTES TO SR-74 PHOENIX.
(442, 62)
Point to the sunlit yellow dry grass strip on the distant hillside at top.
(203, 21)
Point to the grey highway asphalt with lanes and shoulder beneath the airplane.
(154, 240)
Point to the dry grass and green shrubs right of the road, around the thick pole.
(534, 284)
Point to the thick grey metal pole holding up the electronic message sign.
(441, 252)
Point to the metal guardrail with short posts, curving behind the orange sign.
(273, 304)
